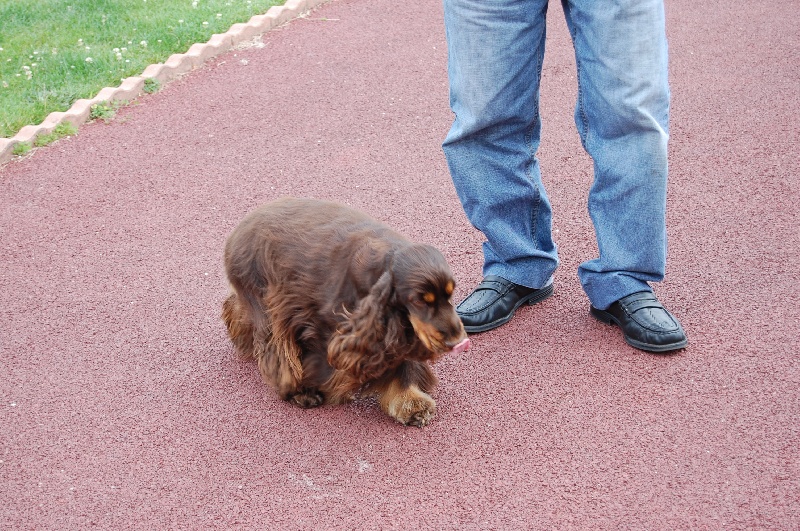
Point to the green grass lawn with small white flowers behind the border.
(54, 52)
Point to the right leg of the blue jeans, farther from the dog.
(622, 117)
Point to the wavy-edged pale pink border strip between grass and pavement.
(176, 65)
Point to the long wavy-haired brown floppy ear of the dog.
(357, 346)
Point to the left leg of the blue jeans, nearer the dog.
(495, 52)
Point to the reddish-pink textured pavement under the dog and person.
(123, 406)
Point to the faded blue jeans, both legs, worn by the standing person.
(495, 53)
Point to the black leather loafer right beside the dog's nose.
(494, 302)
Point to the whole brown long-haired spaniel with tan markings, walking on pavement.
(331, 302)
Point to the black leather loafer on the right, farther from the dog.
(645, 323)
